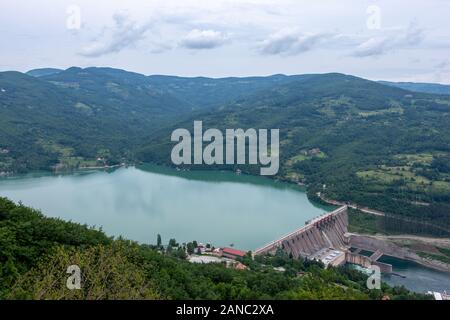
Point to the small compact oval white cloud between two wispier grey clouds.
(204, 39)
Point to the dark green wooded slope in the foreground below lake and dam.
(36, 251)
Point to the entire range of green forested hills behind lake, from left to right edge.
(352, 140)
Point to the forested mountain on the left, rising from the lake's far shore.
(76, 116)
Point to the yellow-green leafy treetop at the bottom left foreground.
(106, 273)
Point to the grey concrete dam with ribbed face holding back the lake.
(326, 239)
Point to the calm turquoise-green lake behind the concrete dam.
(221, 208)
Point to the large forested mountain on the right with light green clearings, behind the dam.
(351, 139)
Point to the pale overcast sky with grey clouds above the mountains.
(378, 39)
